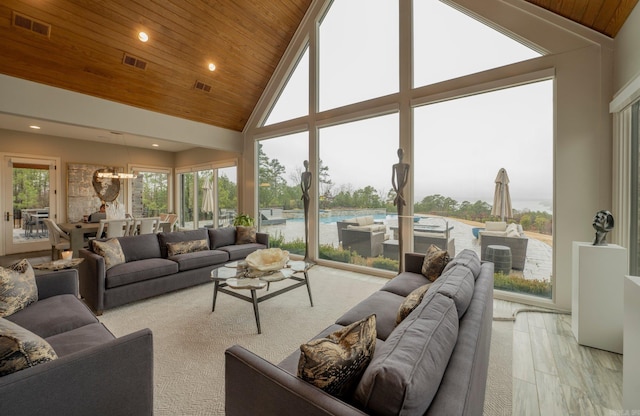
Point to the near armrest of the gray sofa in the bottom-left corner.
(115, 378)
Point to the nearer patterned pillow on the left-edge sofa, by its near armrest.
(20, 349)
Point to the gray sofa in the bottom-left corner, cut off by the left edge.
(95, 372)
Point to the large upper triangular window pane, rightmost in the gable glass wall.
(448, 44)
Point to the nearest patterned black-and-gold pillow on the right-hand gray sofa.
(336, 363)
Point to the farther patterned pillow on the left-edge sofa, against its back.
(17, 287)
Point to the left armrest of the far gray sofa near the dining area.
(92, 280)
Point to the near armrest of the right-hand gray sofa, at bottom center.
(273, 390)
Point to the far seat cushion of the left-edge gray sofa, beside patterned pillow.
(54, 315)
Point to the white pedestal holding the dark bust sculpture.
(597, 295)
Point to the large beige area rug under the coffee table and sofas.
(189, 341)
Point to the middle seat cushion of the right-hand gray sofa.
(381, 303)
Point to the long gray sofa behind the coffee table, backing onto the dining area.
(151, 270)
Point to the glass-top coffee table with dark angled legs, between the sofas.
(234, 276)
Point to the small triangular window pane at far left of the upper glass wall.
(293, 101)
